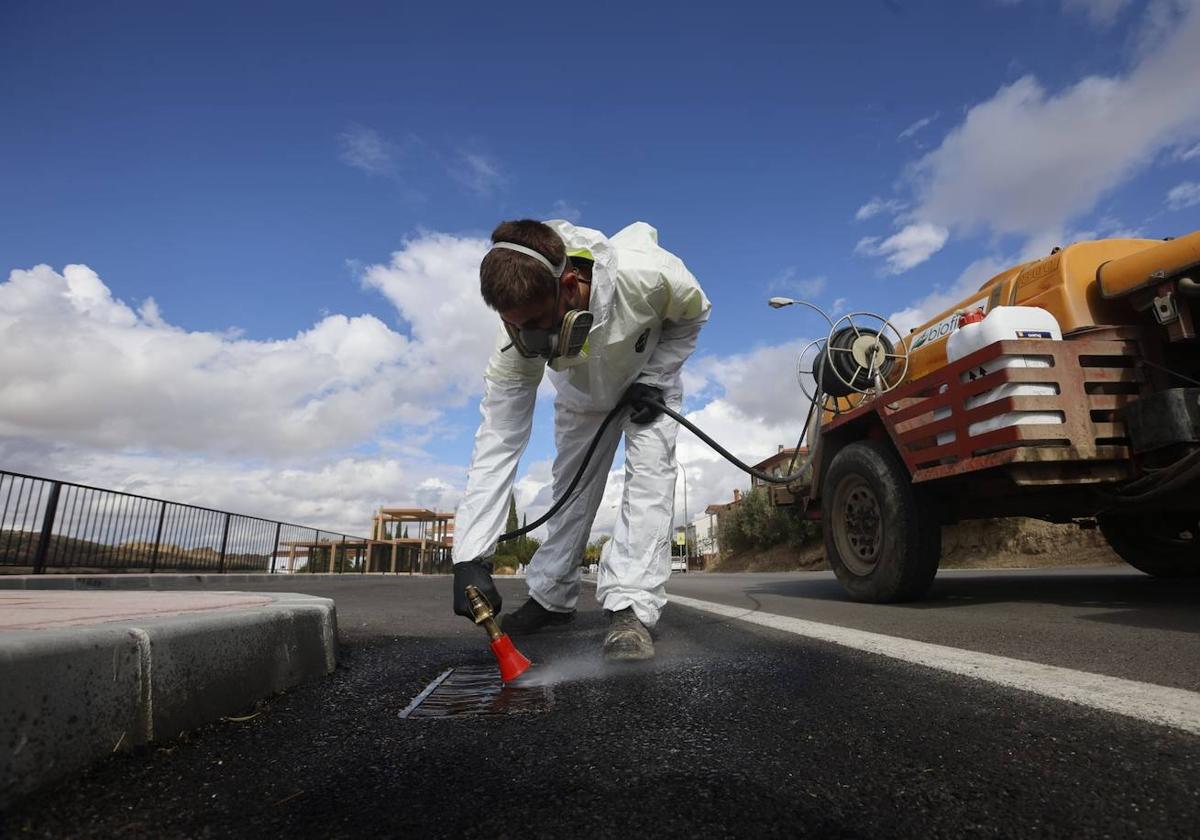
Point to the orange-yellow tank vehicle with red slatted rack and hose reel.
(1100, 428)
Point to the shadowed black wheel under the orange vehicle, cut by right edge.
(1163, 544)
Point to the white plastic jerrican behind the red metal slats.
(1004, 323)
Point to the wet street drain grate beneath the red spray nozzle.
(475, 692)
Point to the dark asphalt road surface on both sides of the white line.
(733, 731)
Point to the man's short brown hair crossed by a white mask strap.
(509, 279)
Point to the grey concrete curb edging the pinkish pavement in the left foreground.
(70, 697)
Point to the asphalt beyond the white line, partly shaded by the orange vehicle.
(1106, 620)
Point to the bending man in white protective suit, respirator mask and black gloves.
(614, 320)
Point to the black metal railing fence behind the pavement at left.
(50, 526)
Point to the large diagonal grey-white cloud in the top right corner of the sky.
(1030, 160)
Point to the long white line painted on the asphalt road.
(1161, 705)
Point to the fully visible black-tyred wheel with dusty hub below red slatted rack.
(883, 538)
